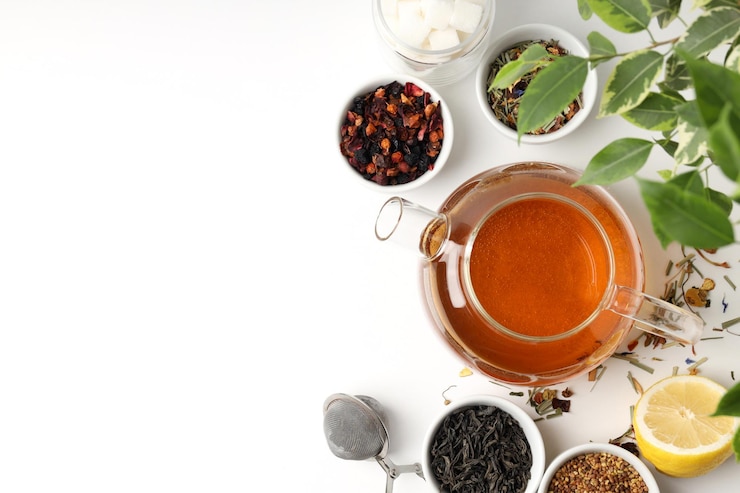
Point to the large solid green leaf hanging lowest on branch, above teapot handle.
(681, 216)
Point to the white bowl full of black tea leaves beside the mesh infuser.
(487, 444)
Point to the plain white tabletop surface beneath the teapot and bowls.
(185, 276)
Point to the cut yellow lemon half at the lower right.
(674, 428)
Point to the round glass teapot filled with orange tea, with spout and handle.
(530, 279)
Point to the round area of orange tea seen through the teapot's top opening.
(539, 266)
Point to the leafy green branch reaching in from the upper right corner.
(689, 101)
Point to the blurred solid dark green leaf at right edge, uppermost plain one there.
(715, 87)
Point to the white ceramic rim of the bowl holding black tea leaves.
(532, 433)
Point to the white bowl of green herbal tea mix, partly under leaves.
(513, 61)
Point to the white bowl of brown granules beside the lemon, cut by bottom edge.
(598, 467)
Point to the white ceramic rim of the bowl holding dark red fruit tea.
(352, 174)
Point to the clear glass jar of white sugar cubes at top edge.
(438, 41)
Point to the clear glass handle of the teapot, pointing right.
(657, 316)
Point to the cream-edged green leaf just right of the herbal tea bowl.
(630, 82)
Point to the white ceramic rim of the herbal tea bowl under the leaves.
(521, 34)
